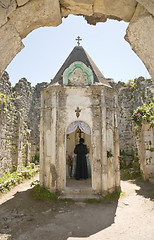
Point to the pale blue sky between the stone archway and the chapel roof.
(47, 48)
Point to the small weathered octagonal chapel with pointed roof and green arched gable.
(79, 97)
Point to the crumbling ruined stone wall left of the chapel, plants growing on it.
(19, 122)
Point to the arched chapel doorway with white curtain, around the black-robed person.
(75, 131)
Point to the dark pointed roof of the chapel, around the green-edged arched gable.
(79, 54)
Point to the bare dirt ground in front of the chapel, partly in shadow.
(131, 217)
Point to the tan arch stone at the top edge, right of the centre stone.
(122, 9)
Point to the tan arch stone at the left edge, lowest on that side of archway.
(10, 44)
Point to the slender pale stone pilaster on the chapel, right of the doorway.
(104, 146)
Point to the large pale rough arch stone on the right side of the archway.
(140, 35)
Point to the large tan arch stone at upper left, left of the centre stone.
(36, 14)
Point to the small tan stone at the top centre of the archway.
(84, 7)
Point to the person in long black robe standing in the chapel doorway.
(81, 170)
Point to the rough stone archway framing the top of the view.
(19, 17)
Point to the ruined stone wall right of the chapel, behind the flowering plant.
(131, 96)
